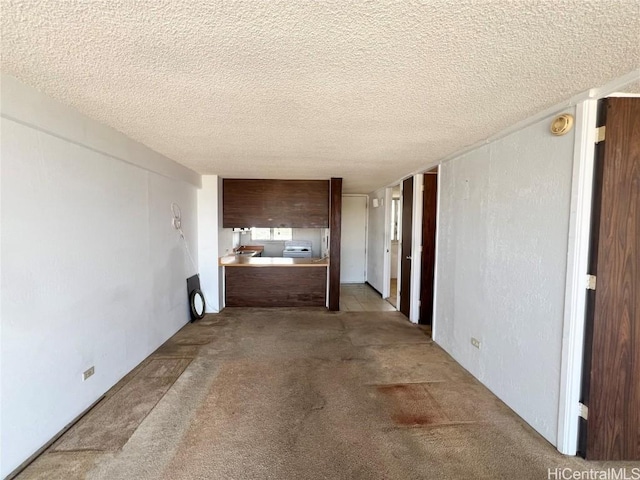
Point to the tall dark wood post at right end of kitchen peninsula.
(335, 226)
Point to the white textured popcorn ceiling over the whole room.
(365, 90)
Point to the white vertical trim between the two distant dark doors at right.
(416, 248)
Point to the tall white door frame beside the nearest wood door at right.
(577, 261)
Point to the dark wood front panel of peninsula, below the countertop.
(275, 286)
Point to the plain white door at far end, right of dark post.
(354, 239)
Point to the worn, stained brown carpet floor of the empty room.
(299, 394)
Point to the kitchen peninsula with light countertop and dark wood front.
(274, 281)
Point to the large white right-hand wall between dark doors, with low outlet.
(502, 239)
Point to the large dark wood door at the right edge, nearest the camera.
(614, 410)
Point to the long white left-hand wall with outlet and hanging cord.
(93, 273)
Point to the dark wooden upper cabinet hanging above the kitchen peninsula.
(275, 203)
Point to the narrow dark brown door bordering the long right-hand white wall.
(429, 213)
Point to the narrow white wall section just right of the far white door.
(376, 240)
